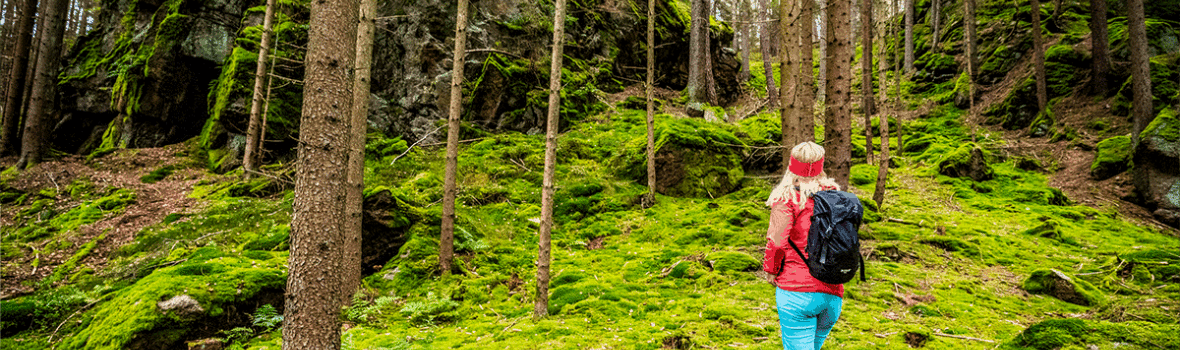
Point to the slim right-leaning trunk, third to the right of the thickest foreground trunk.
(541, 307)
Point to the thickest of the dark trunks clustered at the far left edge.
(35, 144)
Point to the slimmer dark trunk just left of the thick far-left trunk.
(10, 138)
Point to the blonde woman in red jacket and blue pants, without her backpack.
(808, 307)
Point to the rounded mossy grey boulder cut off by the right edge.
(1158, 168)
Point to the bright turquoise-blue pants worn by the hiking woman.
(807, 318)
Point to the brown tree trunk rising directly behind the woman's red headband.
(789, 96)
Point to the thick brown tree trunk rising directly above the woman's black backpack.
(838, 118)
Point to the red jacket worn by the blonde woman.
(788, 219)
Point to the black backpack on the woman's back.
(834, 246)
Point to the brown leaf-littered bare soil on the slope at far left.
(121, 169)
